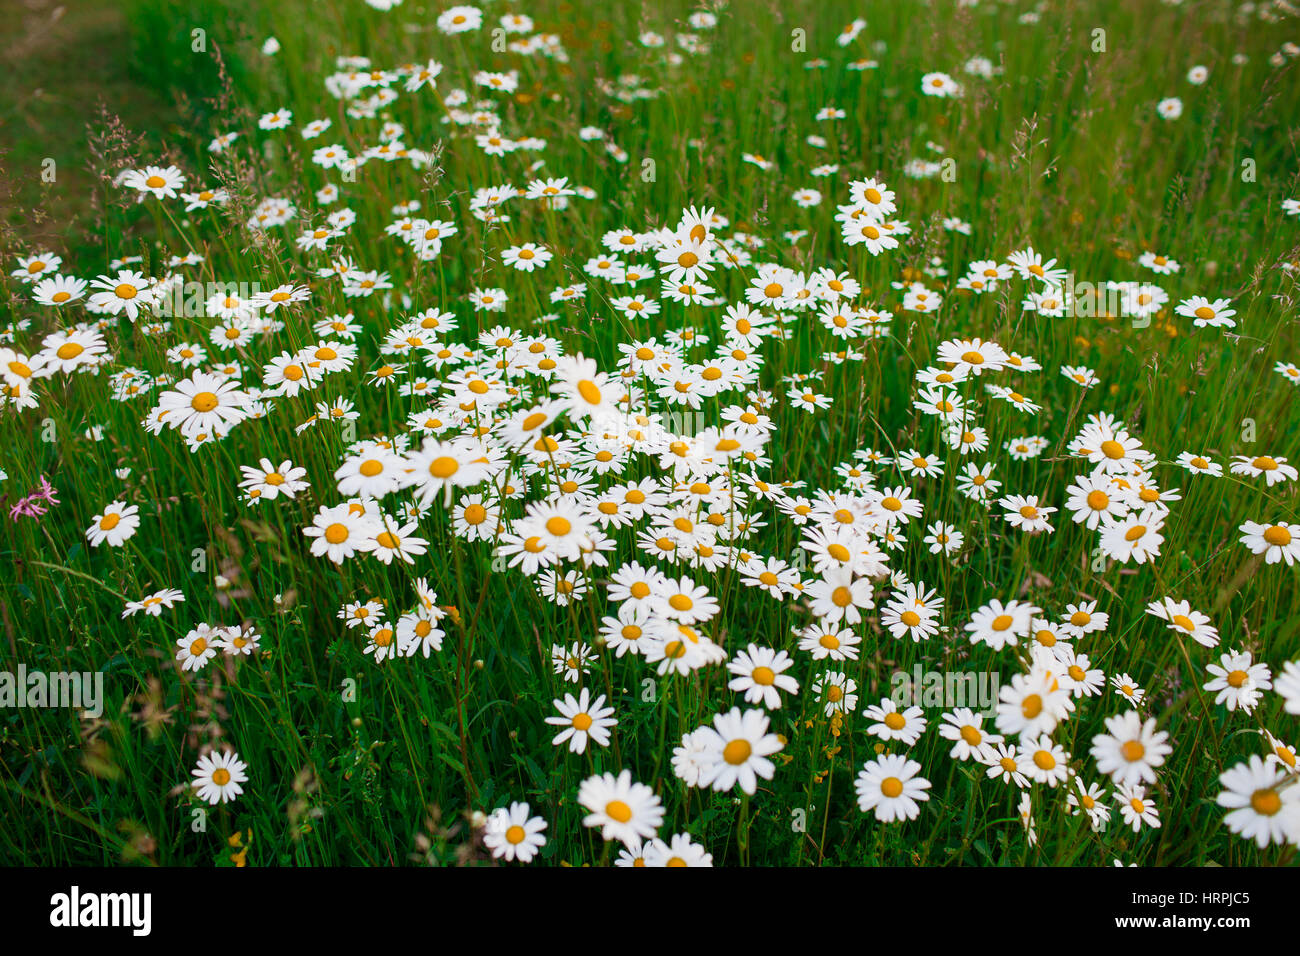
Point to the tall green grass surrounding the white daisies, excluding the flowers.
(1063, 152)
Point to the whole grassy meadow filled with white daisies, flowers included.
(726, 434)
